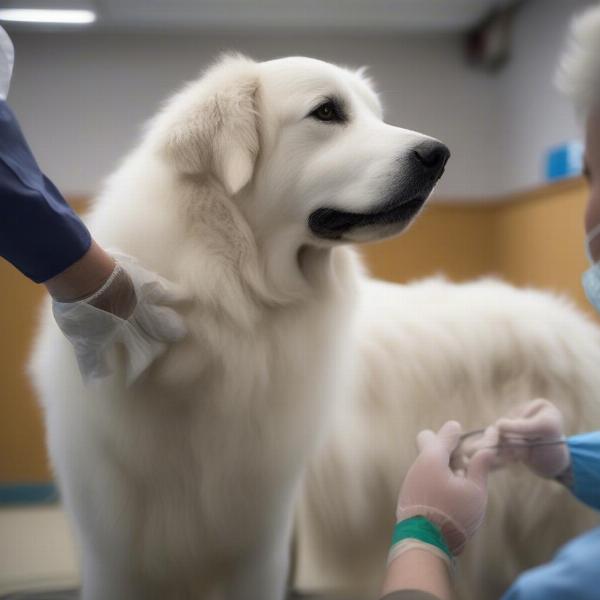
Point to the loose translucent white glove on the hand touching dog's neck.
(134, 309)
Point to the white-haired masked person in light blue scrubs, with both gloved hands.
(439, 509)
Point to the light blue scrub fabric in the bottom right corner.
(571, 575)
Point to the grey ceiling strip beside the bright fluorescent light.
(290, 15)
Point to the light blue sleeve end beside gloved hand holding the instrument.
(585, 467)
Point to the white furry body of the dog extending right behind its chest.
(429, 352)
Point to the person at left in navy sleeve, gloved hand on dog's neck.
(98, 299)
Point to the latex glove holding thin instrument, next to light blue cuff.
(535, 421)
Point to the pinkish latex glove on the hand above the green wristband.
(454, 501)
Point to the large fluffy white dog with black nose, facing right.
(244, 191)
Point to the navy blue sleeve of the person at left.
(39, 232)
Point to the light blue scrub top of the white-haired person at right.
(574, 573)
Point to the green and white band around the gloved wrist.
(419, 533)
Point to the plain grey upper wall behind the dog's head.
(82, 97)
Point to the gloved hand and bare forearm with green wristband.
(438, 510)
